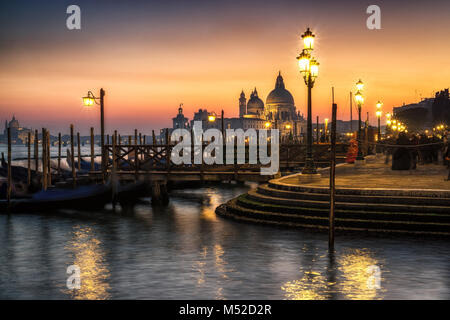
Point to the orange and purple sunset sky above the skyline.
(150, 56)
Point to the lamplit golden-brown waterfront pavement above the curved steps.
(376, 174)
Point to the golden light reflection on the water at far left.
(89, 257)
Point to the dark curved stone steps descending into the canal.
(376, 210)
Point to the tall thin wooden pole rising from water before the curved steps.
(332, 175)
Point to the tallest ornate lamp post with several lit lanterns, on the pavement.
(309, 68)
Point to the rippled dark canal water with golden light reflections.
(185, 251)
